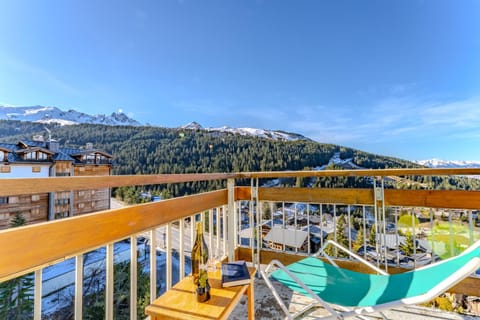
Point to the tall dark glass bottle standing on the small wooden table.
(199, 265)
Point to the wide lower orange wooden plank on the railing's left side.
(25, 249)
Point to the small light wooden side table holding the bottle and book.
(180, 302)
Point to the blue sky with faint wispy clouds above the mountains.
(398, 78)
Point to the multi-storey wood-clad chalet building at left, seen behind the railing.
(41, 159)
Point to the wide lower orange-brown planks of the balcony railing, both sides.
(45, 243)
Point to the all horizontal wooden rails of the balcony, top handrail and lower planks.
(48, 242)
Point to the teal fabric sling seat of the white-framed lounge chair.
(353, 289)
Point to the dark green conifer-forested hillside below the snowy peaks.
(149, 150)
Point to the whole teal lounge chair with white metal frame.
(357, 294)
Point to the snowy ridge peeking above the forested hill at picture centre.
(261, 133)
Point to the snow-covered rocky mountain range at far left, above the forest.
(52, 114)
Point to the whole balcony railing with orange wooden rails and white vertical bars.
(228, 214)
